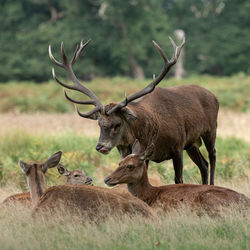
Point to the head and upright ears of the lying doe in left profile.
(132, 167)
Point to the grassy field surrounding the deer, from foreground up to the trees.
(36, 121)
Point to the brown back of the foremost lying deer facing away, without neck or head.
(90, 201)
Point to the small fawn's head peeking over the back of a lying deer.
(75, 177)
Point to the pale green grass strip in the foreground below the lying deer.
(172, 231)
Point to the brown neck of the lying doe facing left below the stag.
(143, 189)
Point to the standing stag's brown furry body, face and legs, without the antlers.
(177, 118)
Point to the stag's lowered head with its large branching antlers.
(112, 118)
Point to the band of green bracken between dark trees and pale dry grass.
(232, 92)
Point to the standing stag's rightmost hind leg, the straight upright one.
(209, 140)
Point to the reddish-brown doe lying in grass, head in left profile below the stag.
(132, 170)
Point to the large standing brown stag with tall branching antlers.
(181, 116)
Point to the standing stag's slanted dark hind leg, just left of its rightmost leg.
(196, 156)
